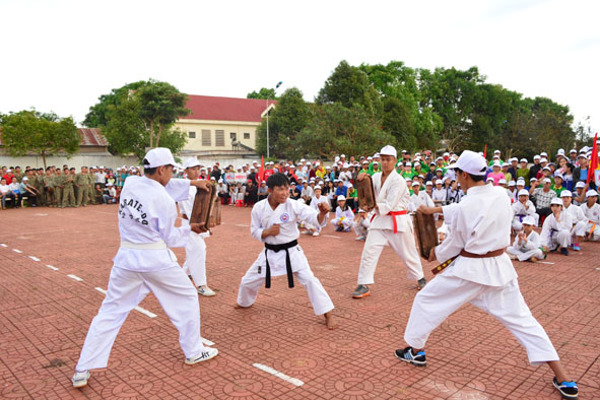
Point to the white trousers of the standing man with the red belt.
(403, 243)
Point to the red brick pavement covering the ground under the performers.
(44, 316)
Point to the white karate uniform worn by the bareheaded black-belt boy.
(285, 215)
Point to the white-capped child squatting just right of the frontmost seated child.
(556, 230)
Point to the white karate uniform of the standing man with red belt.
(393, 196)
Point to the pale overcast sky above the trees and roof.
(62, 55)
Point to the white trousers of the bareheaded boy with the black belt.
(253, 280)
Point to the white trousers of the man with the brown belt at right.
(444, 295)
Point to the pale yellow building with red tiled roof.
(222, 125)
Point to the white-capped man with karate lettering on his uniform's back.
(144, 264)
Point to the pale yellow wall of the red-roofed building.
(193, 125)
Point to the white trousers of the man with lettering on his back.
(126, 289)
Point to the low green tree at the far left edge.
(27, 132)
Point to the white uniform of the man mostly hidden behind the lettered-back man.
(195, 251)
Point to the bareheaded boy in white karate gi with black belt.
(274, 224)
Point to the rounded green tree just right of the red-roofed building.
(286, 121)
